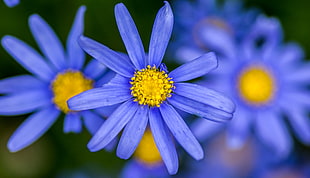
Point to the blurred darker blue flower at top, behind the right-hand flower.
(204, 25)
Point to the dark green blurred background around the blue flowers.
(65, 155)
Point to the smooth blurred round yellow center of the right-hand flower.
(256, 85)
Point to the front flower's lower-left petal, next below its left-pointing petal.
(112, 126)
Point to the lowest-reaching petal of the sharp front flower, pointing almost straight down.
(163, 141)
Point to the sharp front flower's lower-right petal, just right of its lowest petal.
(181, 131)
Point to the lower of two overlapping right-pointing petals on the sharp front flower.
(199, 109)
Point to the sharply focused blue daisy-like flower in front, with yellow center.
(148, 93)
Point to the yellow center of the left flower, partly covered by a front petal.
(68, 84)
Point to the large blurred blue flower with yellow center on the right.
(267, 80)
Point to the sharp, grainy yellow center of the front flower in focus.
(151, 86)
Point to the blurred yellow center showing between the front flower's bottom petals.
(147, 151)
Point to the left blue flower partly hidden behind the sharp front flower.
(56, 77)
